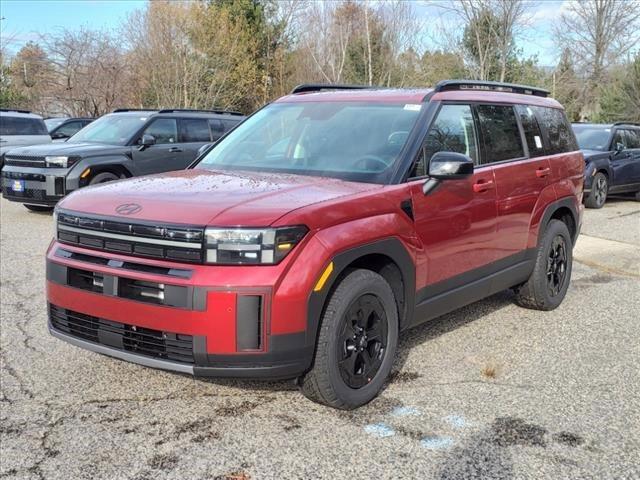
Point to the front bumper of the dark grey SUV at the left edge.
(40, 186)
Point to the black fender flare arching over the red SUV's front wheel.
(390, 247)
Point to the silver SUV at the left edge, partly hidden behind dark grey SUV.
(20, 128)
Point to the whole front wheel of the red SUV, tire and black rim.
(357, 342)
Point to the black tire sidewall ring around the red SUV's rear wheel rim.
(554, 229)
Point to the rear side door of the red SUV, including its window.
(521, 171)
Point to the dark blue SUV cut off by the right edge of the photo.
(612, 156)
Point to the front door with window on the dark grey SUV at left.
(163, 156)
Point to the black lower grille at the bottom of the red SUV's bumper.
(141, 341)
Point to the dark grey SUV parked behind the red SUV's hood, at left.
(125, 143)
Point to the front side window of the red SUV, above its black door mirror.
(453, 130)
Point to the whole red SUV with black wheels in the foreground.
(305, 240)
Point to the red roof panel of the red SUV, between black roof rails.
(416, 96)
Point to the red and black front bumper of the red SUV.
(200, 326)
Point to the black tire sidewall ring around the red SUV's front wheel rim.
(379, 288)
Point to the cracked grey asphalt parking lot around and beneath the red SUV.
(489, 391)
